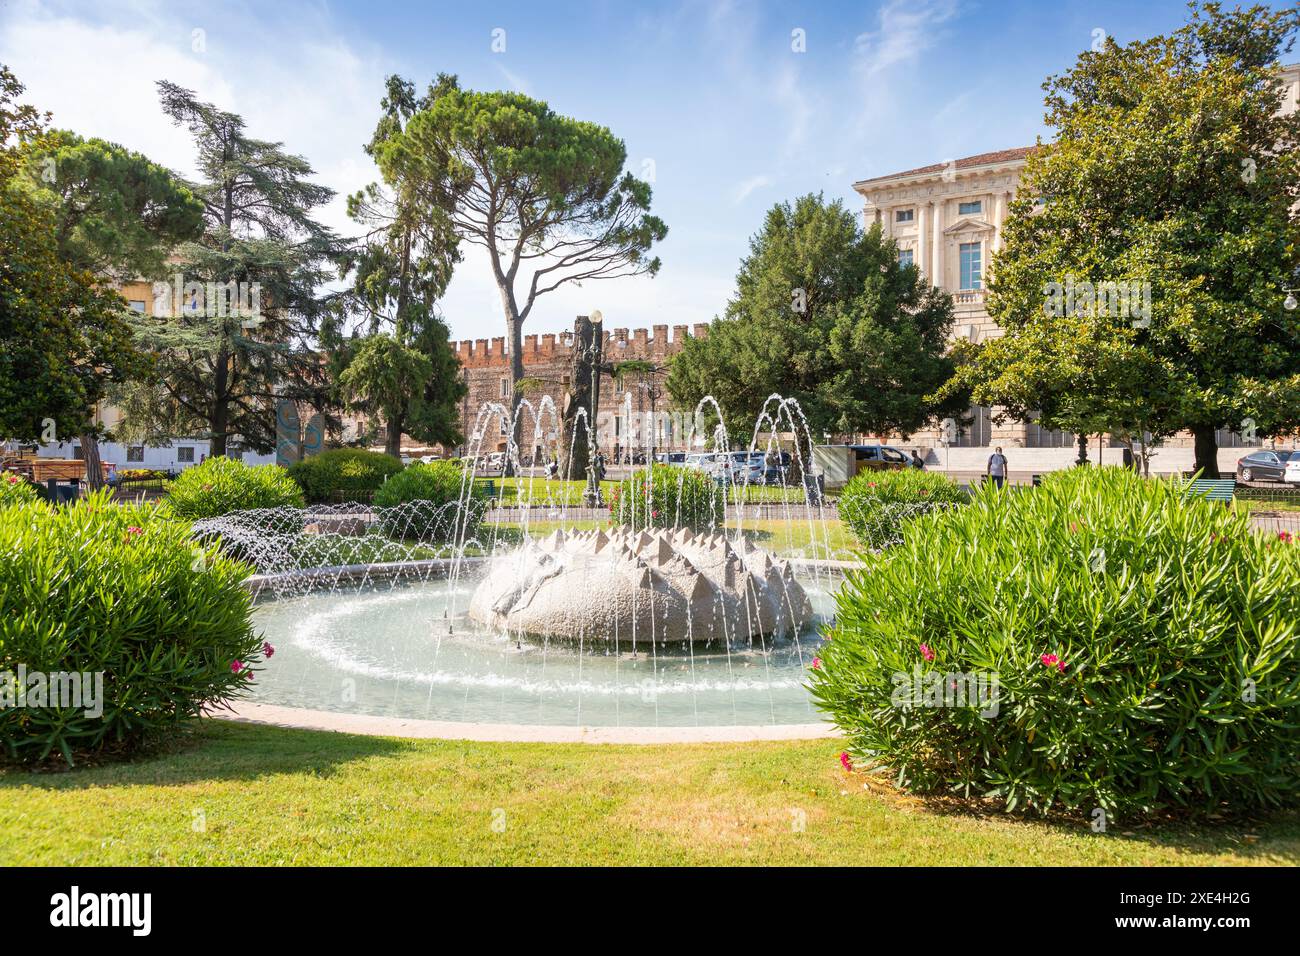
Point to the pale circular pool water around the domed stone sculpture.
(410, 651)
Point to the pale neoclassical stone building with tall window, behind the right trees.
(948, 220)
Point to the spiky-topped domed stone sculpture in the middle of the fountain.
(642, 587)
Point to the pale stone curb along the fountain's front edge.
(372, 725)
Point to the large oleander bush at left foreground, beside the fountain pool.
(123, 592)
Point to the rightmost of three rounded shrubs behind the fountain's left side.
(431, 503)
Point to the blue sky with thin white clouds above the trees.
(709, 97)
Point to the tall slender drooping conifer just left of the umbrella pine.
(402, 269)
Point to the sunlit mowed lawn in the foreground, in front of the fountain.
(250, 795)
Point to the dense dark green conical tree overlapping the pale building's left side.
(824, 314)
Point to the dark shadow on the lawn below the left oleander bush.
(213, 750)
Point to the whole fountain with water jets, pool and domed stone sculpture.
(543, 612)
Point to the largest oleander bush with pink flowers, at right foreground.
(1145, 647)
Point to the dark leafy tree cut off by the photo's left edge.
(63, 334)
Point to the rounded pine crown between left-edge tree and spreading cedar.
(116, 215)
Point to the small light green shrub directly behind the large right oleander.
(877, 504)
